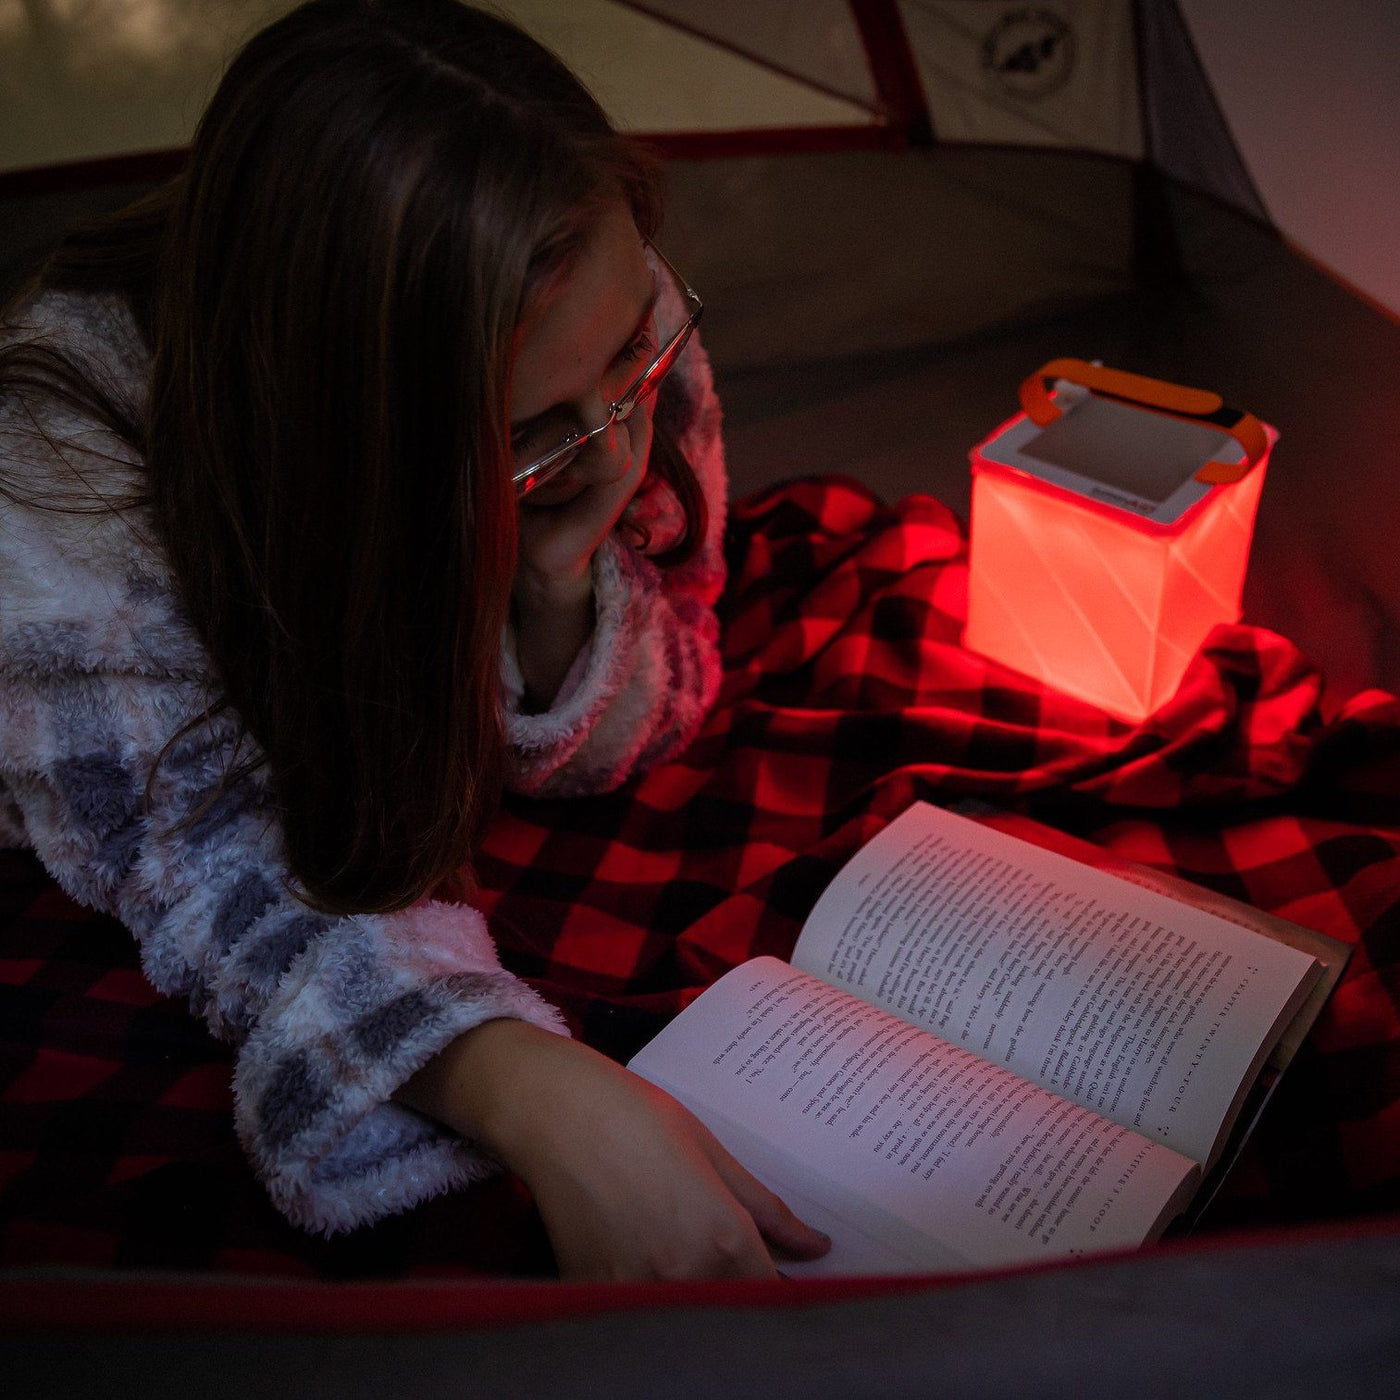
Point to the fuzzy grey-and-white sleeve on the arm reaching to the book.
(330, 1014)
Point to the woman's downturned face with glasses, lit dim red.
(590, 335)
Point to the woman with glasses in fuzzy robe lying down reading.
(337, 500)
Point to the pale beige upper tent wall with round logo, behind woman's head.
(1065, 75)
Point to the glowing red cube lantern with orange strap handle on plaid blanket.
(1111, 530)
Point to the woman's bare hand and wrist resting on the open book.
(629, 1184)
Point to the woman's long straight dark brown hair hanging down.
(330, 293)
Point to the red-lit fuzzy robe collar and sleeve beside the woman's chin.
(652, 671)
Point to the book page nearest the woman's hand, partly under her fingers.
(913, 1151)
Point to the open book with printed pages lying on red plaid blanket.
(988, 1052)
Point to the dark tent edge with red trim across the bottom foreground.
(1258, 1318)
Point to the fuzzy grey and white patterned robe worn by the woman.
(99, 668)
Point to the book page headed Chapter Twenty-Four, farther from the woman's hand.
(1118, 997)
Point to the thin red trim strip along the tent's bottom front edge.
(66, 1303)
